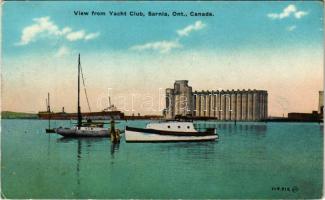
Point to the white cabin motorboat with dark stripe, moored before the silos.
(169, 132)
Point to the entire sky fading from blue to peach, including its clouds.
(278, 43)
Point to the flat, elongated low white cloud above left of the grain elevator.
(161, 46)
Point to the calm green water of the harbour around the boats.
(248, 161)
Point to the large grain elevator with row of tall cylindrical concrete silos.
(241, 105)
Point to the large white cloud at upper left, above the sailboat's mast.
(44, 26)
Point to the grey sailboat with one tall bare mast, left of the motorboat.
(88, 129)
